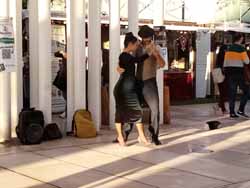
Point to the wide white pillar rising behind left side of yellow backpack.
(76, 67)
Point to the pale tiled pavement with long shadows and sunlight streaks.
(190, 157)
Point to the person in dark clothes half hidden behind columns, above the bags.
(61, 79)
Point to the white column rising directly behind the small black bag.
(44, 46)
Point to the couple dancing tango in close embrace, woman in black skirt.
(128, 109)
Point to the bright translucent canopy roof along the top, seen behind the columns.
(200, 11)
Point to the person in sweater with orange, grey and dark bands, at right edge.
(235, 58)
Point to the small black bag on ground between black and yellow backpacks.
(52, 132)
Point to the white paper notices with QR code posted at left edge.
(7, 52)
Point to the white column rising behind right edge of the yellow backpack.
(94, 62)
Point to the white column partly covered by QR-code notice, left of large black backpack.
(17, 77)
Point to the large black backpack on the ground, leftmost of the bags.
(30, 126)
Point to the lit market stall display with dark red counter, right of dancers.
(179, 77)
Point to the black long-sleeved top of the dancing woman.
(127, 62)
